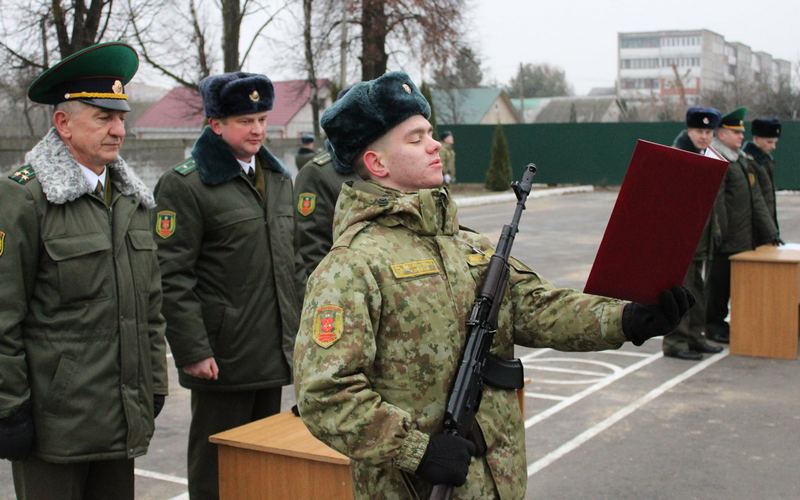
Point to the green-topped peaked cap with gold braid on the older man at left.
(94, 75)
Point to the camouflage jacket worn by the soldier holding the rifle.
(383, 328)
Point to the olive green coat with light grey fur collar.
(81, 334)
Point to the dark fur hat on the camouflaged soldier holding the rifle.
(367, 111)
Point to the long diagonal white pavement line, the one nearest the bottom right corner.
(591, 432)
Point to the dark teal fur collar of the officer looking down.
(216, 163)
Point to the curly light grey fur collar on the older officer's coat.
(61, 178)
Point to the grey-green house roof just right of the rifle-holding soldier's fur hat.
(470, 105)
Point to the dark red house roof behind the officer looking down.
(181, 107)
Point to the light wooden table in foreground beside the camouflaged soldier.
(278, 458)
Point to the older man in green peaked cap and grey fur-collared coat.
(82, 352)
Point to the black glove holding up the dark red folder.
(640, 322)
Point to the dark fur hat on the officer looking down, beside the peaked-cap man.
(238, 93)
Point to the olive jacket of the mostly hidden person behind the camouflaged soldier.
(316, 189)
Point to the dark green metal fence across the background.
(589, 153)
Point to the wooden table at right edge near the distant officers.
(765, 299)
